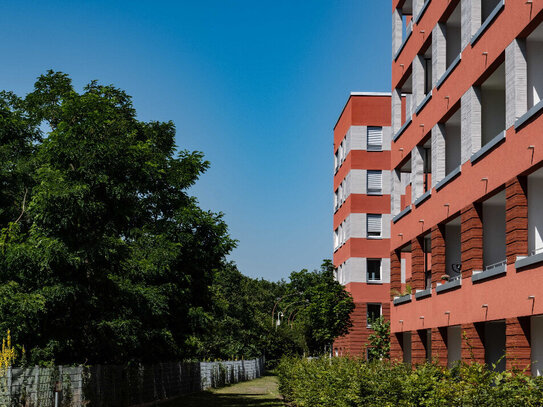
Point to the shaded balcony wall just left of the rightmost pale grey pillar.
(493, 113)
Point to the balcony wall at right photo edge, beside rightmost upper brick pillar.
(535, 211)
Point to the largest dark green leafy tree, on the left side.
(105, 257)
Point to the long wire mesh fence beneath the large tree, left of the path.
(108, 385)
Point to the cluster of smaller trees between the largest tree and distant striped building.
(309, 311)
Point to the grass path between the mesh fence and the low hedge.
(257, 393)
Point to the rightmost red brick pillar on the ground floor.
(517, 344)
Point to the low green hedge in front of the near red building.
(346, 382)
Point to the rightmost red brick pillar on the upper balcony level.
(516, 218)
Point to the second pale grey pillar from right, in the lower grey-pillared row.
(470, 126)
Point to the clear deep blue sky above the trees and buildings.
(256, 85)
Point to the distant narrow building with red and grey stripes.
(362, 138)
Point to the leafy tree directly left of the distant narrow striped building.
(325, 306)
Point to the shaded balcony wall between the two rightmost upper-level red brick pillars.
(493, 232)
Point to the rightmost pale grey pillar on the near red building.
(516, 81)
